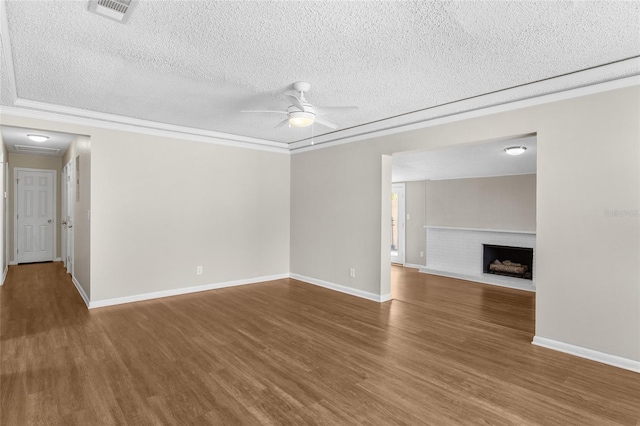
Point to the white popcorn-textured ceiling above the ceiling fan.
(198, 63)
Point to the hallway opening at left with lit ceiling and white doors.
(43, 198)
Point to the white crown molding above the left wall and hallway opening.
(120, 123)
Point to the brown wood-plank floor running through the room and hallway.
(443, 352)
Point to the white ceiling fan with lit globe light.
(302, 114)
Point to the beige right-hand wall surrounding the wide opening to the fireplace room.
(588, 285)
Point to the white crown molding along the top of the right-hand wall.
(304, 146)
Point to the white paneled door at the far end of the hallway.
(35, 215)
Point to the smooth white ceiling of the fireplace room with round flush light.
(466, 161)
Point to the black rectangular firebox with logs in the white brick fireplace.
(510, 261)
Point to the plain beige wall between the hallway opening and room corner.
(161, 207)
